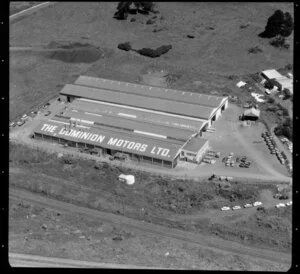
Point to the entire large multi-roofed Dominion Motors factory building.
(150, 124)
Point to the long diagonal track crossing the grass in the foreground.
(214, 243)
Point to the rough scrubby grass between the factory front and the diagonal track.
(169, 203)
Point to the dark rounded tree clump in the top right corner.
(278, 24)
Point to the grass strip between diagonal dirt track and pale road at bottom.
(78, 237)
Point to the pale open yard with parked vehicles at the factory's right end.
(235, 142)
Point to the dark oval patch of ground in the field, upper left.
(73, 52)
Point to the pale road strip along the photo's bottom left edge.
(25, 260)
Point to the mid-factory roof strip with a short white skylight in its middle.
(142, 116)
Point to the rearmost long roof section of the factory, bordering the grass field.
(149, 91)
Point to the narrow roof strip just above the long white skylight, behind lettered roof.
(129, 124)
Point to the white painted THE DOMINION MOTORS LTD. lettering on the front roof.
(110, 141)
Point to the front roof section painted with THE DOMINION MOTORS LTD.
(112, 140)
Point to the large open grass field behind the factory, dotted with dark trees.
(218, 50)
